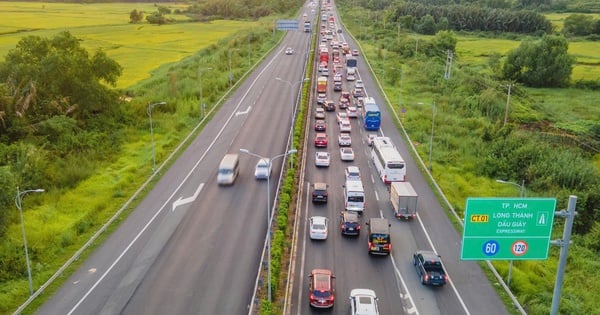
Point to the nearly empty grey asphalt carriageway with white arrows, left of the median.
(200, 257)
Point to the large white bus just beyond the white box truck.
(388, 161)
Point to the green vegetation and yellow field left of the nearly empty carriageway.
(89, 147)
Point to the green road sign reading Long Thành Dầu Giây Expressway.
(507, 228)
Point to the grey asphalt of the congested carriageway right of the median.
(393, 278)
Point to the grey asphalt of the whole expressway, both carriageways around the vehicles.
(193, 247)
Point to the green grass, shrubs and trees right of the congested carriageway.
(551, 137)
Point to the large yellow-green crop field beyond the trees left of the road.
(138, 48)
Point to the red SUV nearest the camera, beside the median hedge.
(321, 288)
